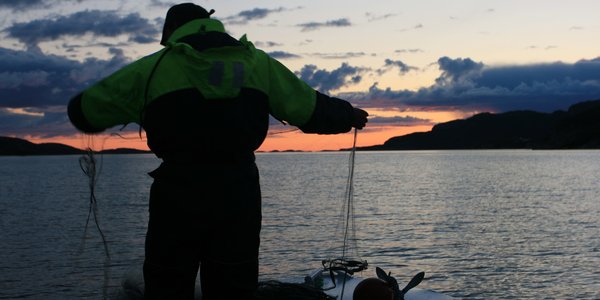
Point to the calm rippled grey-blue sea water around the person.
(482, 224)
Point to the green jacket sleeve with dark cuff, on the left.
(115, 100)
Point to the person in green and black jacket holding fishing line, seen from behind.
(204, 102)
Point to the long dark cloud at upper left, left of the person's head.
(96, 22)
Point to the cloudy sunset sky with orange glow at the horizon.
(411, 64)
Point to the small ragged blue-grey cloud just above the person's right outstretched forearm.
(326, 81)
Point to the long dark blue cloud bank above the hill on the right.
(466, 84)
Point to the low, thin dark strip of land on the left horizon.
(16, 146)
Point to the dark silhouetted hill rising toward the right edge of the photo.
(576, 128)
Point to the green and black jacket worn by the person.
(206, 93)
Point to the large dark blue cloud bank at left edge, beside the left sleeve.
(35, 88)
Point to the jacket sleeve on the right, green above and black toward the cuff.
(294, 101)
